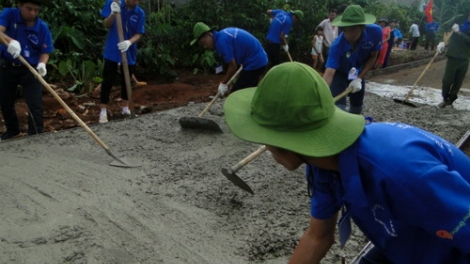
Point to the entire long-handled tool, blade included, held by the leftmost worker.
(120, 162)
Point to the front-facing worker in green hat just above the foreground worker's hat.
(352, 55)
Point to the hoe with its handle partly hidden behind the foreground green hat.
(231, 172)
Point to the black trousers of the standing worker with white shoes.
(110, 70)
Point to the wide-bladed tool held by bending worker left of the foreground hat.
(202, 123)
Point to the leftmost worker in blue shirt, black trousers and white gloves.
(31, 38)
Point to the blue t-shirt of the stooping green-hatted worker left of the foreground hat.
(238, 44)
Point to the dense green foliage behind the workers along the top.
(79, 35)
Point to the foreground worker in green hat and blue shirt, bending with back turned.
(406, 189)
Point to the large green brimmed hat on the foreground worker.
(292, 108)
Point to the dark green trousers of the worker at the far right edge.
(454, 74)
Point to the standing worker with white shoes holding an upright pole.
(133, 21)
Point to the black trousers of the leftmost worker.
(10, 78)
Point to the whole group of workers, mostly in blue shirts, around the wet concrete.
(406, 189)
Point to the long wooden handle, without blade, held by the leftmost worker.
(57, 97)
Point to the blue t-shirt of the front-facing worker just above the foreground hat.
(342, 56)
